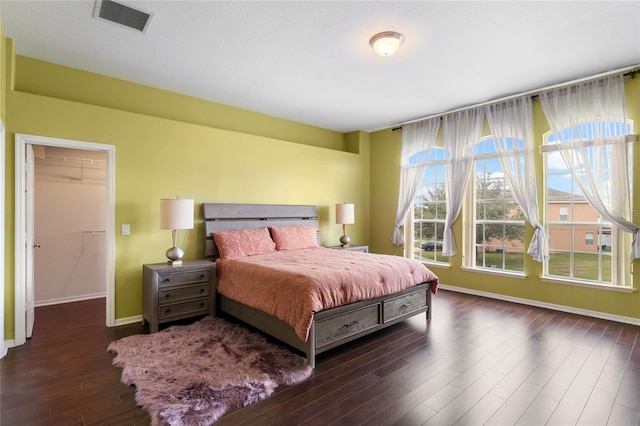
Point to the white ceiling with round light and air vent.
(310, 61)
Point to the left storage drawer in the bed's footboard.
(336, 328)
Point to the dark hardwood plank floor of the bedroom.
(478, 361)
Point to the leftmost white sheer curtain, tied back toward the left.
(417, 138)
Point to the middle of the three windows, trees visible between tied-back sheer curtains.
(498, 220)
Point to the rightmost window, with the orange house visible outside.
(582, 245)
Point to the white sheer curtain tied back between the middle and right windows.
(511, 125)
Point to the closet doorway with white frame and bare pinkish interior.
(64, 224)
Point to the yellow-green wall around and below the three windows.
(385, 160)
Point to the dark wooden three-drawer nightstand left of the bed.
(171, 293)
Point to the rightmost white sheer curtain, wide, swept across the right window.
(597, 155)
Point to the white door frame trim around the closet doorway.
(21, 142)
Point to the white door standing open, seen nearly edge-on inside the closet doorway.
(30, 243)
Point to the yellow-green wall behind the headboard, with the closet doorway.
(161, 152)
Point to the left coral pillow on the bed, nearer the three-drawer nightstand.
(244, 242)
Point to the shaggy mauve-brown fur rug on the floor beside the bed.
(188, 375)
